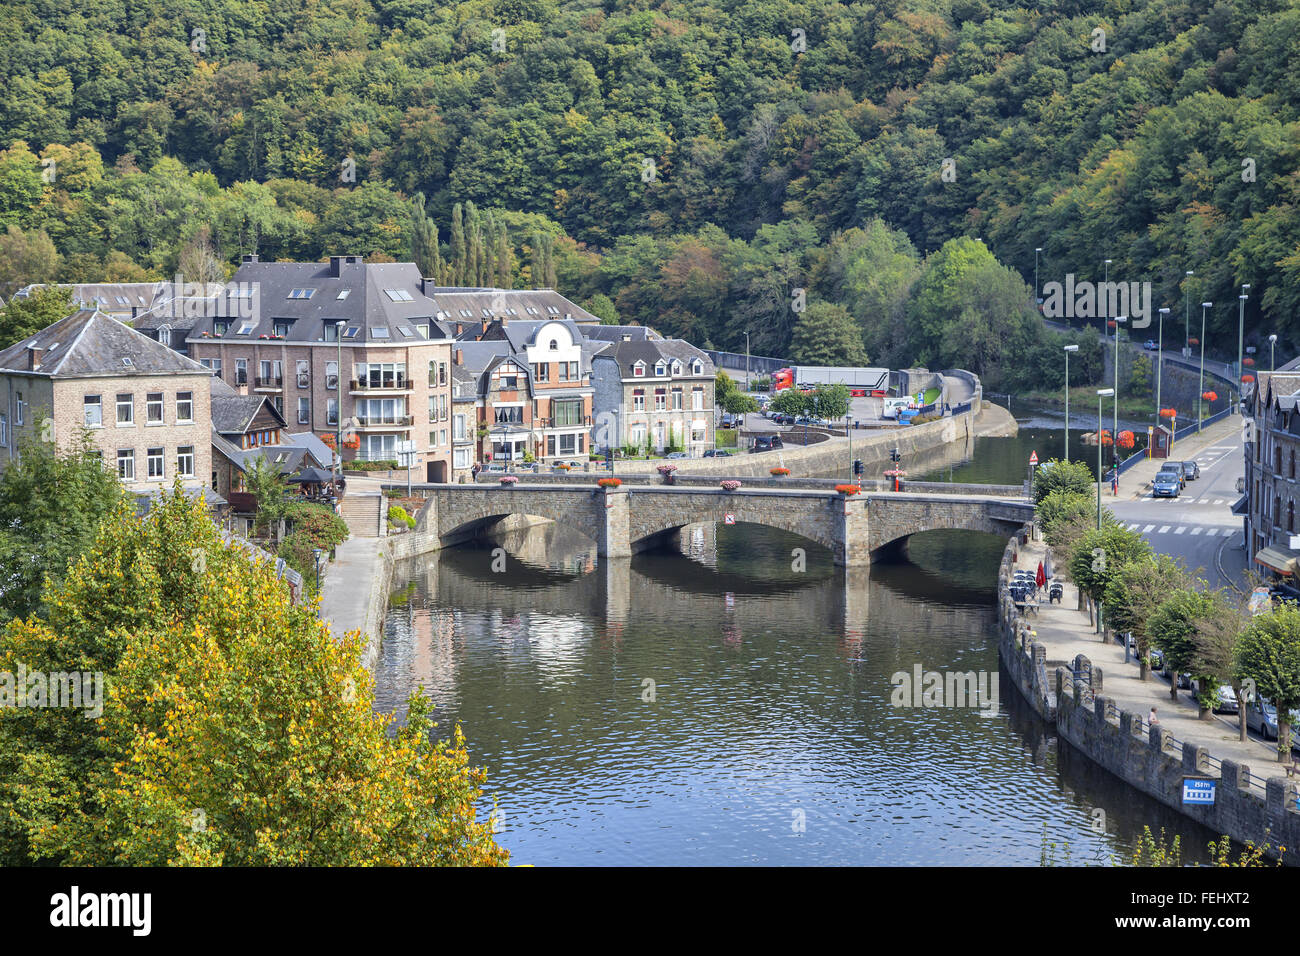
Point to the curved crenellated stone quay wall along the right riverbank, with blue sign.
(1246, 808)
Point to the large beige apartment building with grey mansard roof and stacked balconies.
(341, 347)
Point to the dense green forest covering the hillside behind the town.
(844, 181)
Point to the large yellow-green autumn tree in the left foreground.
(237, 730)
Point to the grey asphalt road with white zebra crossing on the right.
(1199, 526)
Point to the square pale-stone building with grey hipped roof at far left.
(146, 409)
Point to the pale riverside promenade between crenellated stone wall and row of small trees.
(1067, 633)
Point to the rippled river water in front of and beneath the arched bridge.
(713, 704)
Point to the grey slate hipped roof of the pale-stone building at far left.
(92, 344)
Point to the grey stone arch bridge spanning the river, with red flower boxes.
(630, 520)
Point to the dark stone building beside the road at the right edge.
(1272, 483)
